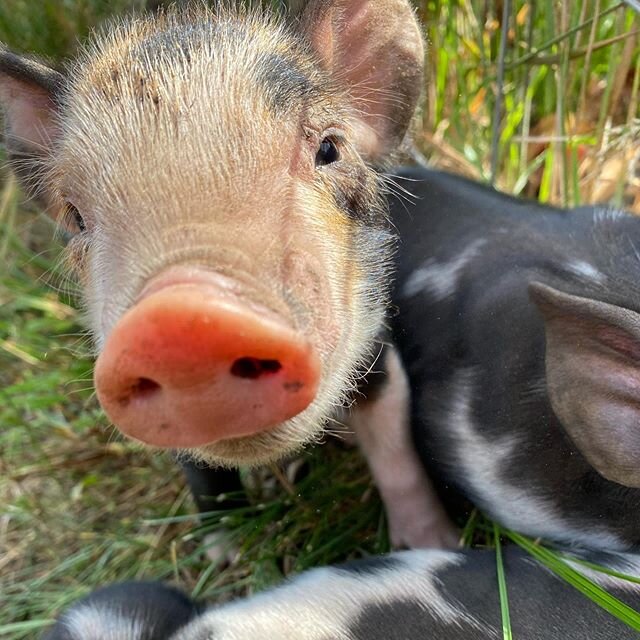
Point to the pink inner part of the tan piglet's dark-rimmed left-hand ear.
(30, 113)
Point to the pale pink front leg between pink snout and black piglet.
(381, 423)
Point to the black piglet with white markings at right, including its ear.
(519, 328)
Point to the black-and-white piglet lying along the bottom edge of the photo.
(430, 595)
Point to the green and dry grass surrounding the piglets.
(539, 97)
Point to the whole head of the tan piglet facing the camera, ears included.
(229, 234)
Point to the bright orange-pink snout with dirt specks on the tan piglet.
(192, 363)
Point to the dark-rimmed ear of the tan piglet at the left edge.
(29, 94)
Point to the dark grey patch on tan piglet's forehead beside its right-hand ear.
(284, 82)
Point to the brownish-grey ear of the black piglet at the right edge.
(593, 378)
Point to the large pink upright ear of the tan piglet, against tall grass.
(375, 47)
